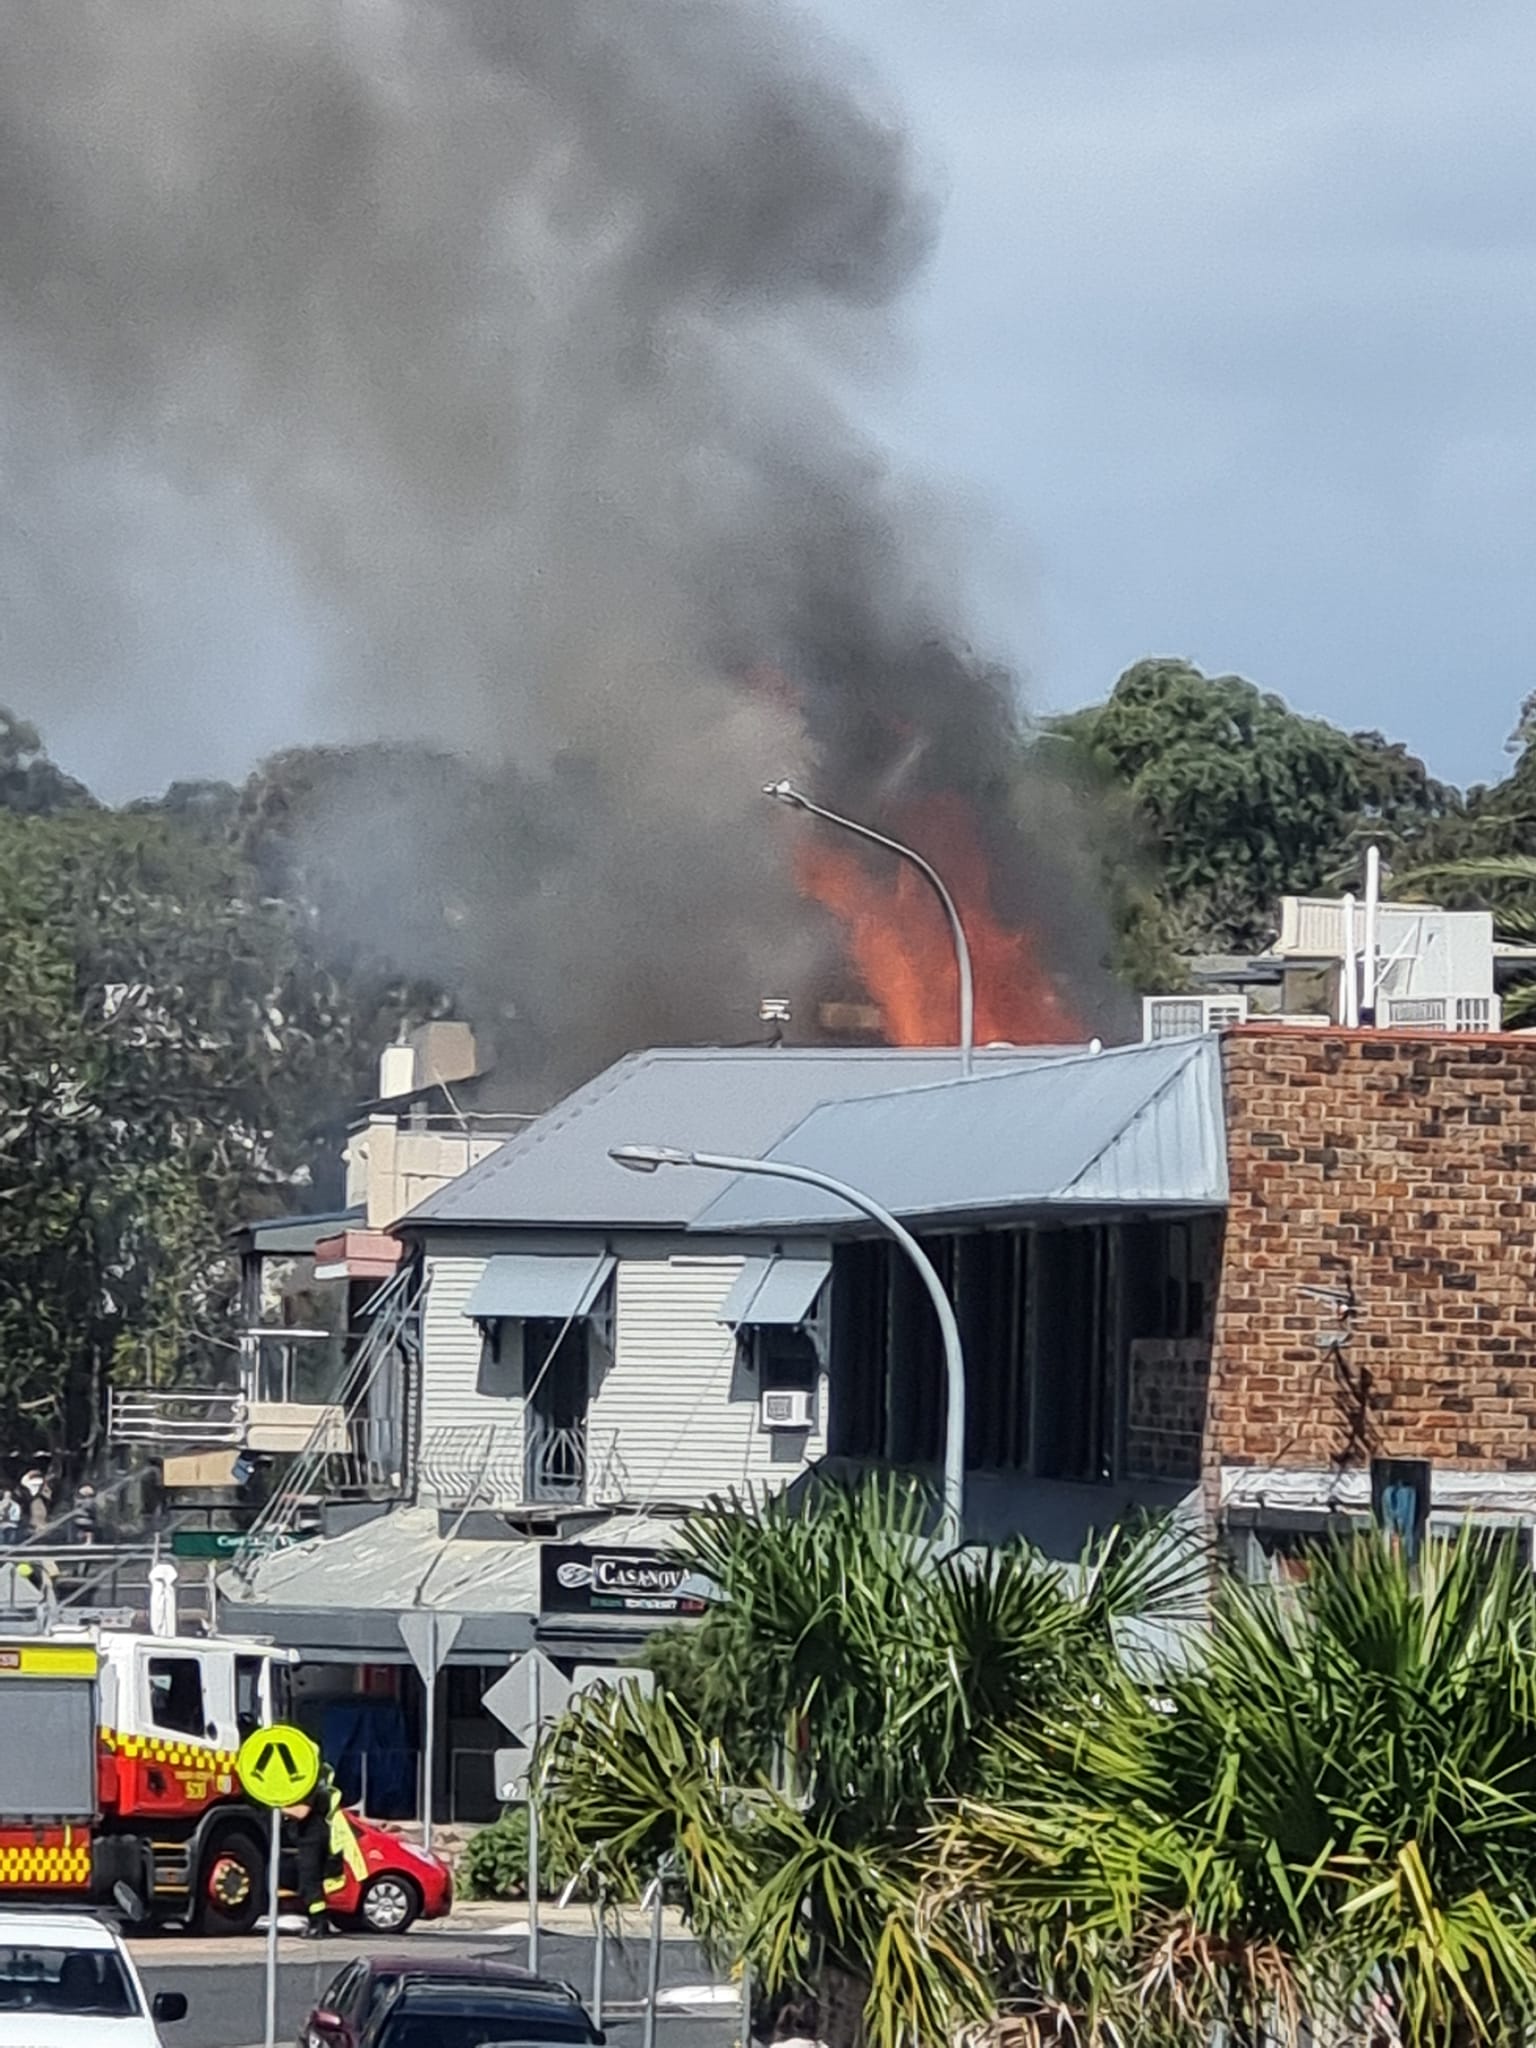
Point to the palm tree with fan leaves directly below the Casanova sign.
(851, 1682)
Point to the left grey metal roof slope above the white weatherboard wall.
(701, 1099)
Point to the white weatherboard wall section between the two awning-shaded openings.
(683, 1412)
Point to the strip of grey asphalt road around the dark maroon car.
(226, 1990)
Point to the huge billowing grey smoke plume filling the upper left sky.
(486, 355)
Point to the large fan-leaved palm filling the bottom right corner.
(1326, 1826)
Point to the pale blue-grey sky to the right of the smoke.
(1232, 329)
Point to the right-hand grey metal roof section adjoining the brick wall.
(1136, 1127)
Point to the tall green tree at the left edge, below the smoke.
(167, 1046)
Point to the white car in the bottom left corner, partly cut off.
(67, 1981)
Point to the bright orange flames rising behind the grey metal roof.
(902, 947)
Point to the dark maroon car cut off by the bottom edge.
(366, 1994)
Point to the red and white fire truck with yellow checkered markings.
(118, 1773)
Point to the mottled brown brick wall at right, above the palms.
(1402, 1172)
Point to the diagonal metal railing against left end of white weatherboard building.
(372, 1463)
